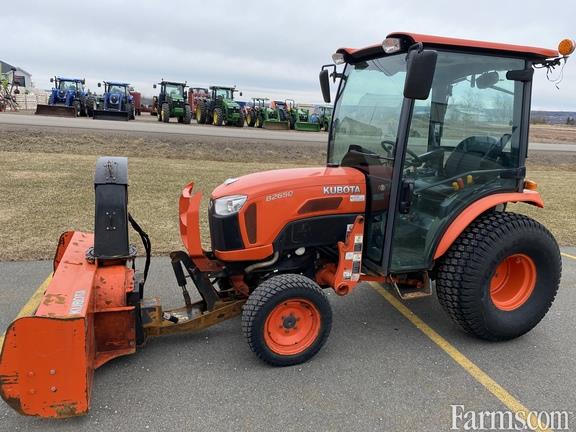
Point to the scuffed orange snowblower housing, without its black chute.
(75, 322)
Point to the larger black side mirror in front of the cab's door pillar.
(420, 67)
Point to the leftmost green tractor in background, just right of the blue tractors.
(173, 102)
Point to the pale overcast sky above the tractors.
(272, 49)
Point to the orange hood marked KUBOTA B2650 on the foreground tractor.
(279, 197)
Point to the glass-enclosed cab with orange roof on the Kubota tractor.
(435, 125)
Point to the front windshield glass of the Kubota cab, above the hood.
(368, 109)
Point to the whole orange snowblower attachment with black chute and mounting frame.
(92, 310)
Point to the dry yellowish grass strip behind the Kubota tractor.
(46, 193)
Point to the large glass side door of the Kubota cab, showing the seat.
(463, 143)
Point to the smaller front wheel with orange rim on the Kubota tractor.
(287, 319)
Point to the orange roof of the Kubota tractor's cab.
(534, 53)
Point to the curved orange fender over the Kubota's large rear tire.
(475, 209)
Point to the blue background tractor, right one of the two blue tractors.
(116, 103)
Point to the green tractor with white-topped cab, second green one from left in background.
(220, 108)
